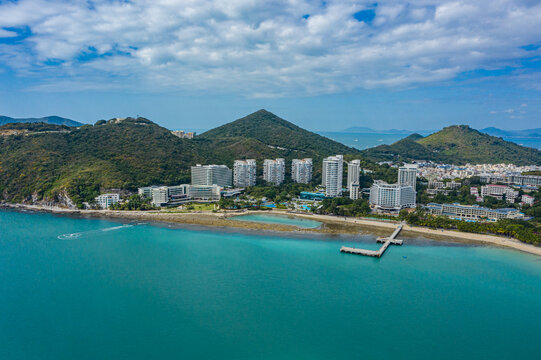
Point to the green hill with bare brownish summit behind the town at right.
(457, 144)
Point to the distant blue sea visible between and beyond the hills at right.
(363, 141)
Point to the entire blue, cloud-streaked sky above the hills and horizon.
(324, 65)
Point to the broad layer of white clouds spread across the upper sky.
(261, 48)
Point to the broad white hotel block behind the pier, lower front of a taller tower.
(391, 197)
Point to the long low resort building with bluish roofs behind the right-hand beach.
(472, 212)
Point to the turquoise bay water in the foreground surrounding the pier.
(154, 292)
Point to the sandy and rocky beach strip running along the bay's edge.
(330, 224)
